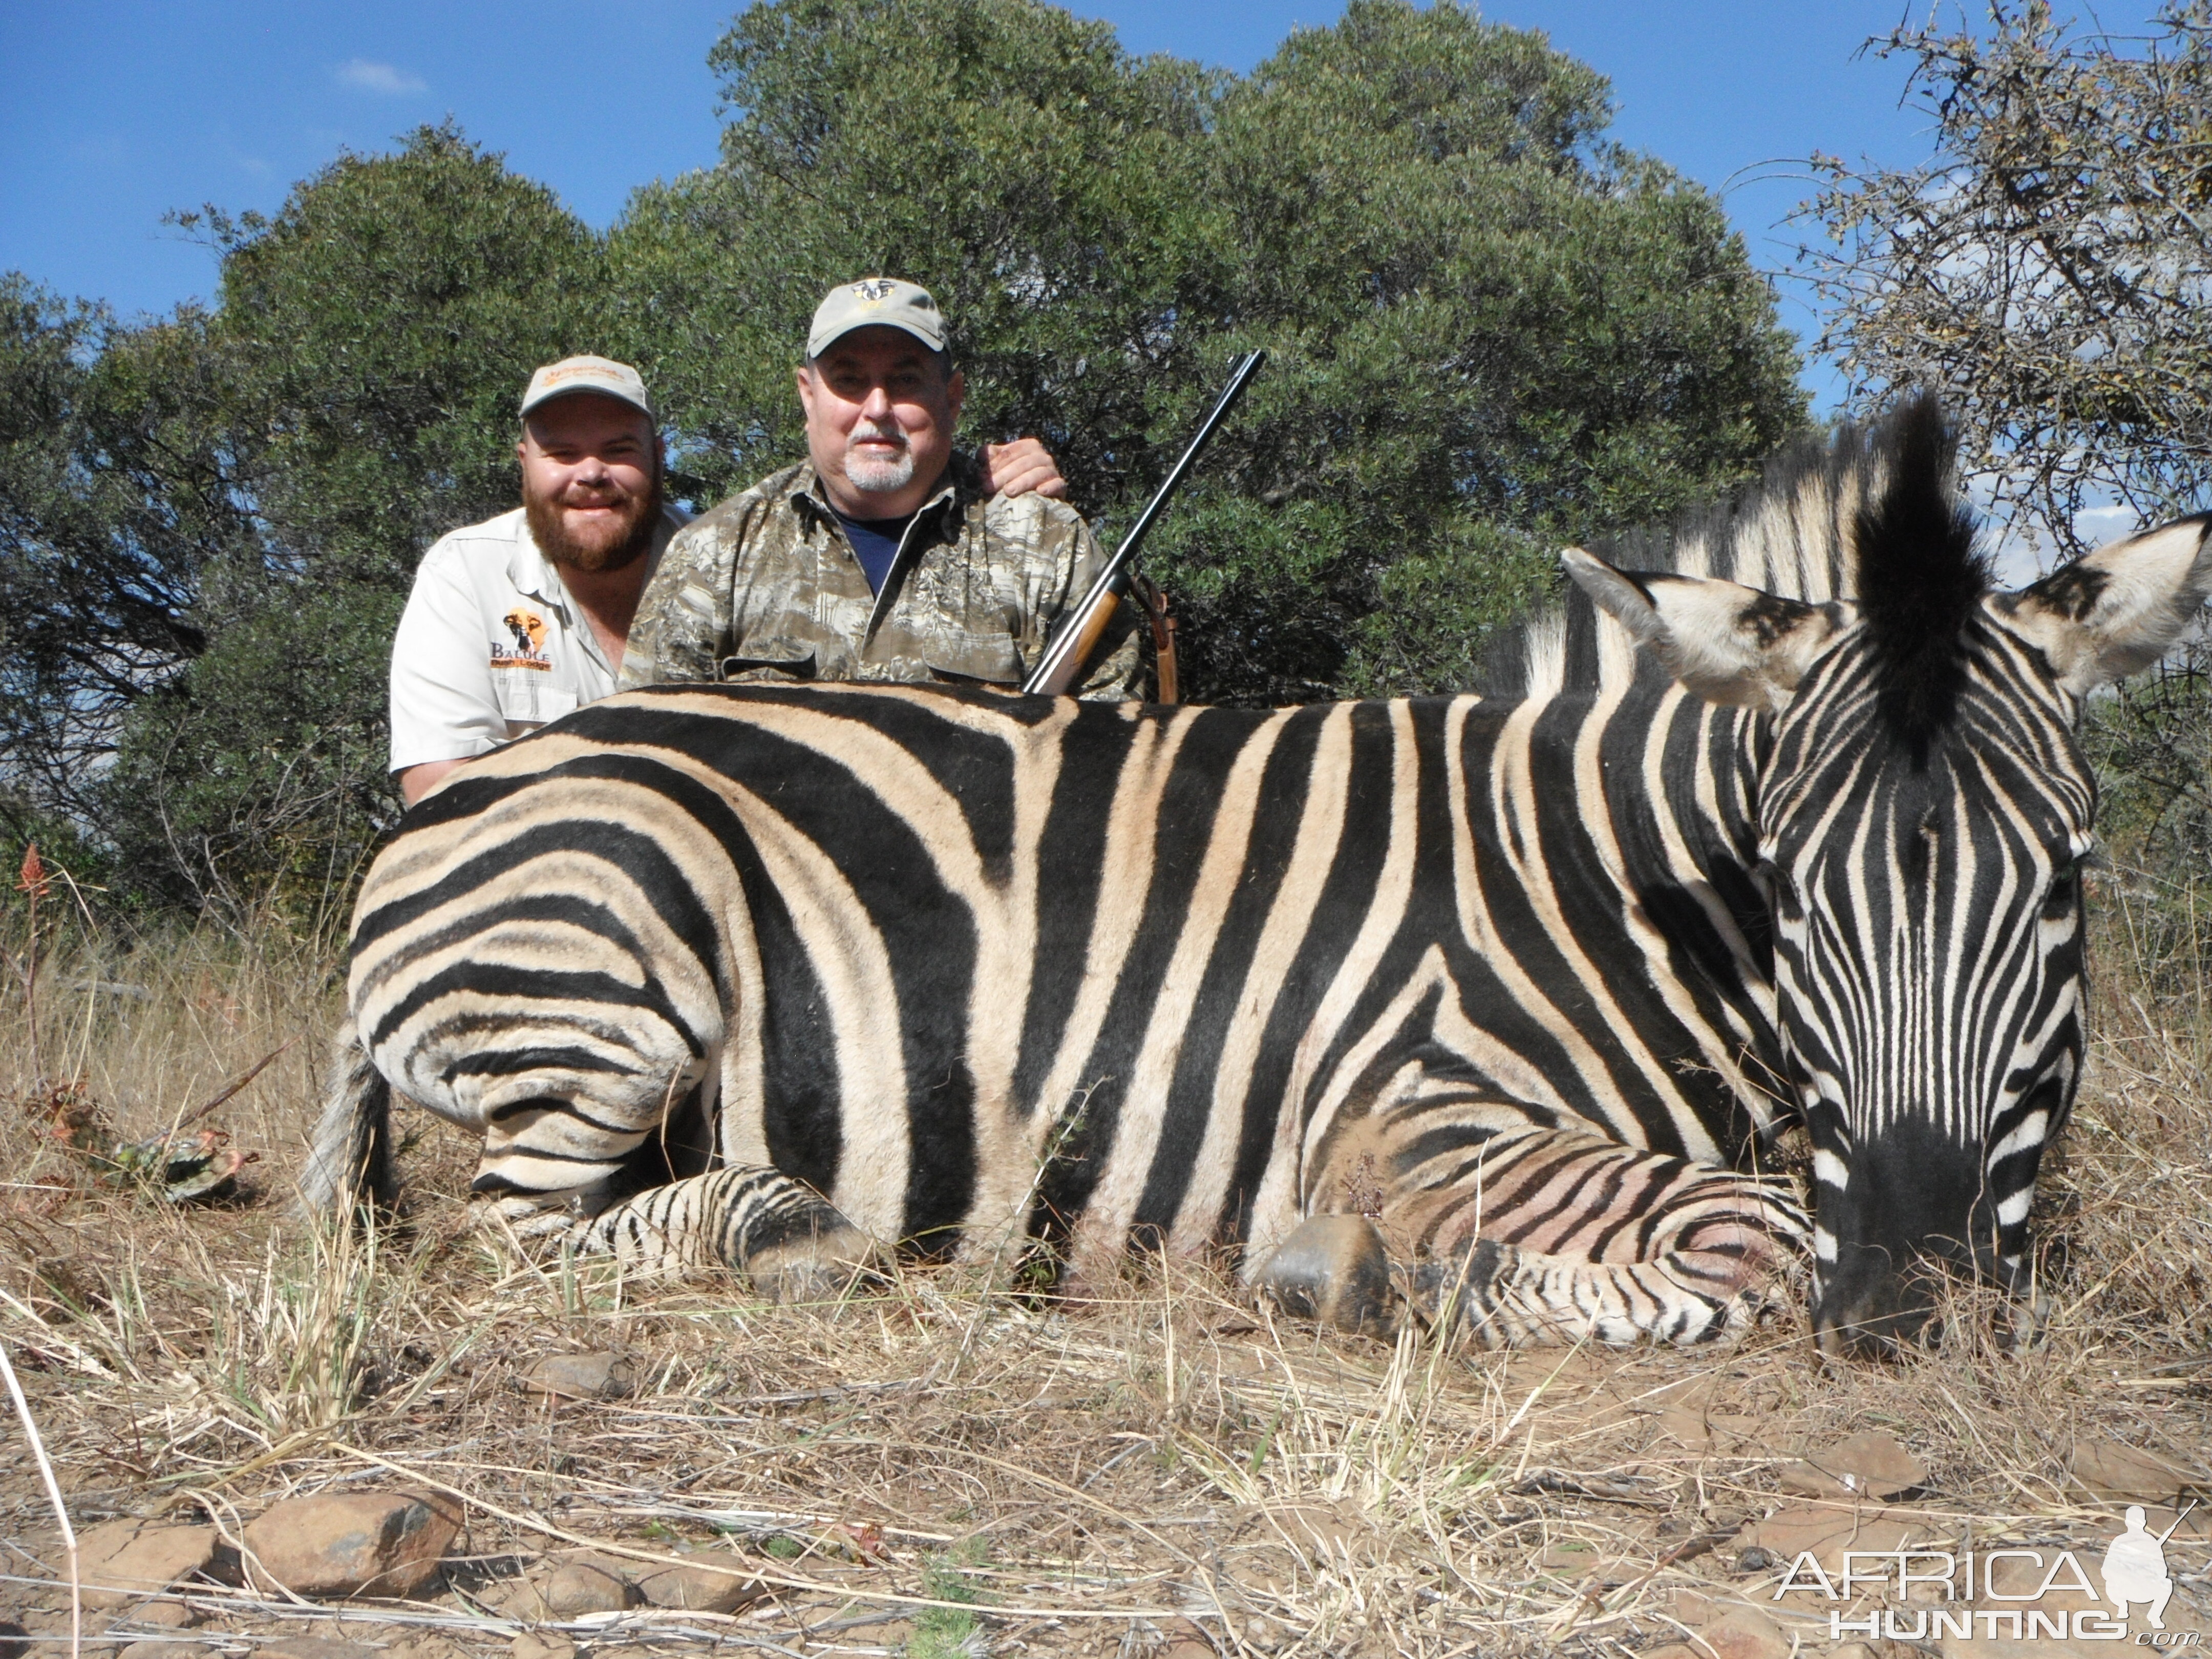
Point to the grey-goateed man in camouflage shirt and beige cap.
(881, 556)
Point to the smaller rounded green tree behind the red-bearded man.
(384, 326)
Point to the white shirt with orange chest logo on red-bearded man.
(492, 645)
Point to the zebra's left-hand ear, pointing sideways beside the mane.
(1722, 640)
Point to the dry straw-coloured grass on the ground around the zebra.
(950, 1468)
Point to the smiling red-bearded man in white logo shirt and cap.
(523, 618)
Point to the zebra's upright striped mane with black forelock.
(1864, 510)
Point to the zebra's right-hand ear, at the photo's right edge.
(2116, 609)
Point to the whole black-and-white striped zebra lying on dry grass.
(1485, 1010)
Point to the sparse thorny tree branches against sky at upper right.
(2047, 269)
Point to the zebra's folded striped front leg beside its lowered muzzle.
(1563, 1238)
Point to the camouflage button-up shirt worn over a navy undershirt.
(766, 587)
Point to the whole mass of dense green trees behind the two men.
(1490, 331)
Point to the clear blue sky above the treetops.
(121, 112)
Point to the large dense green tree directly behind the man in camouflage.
(1490, 328)
